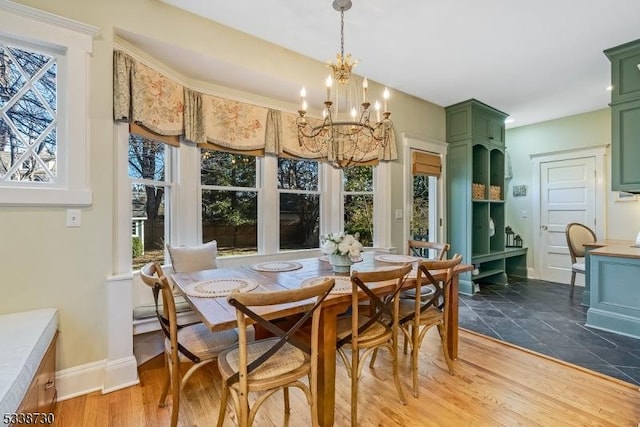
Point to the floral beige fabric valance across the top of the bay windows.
(147, 98)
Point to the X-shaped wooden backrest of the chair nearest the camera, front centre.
(243, 302)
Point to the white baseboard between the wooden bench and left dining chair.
(104, 376)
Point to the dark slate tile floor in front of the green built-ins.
(540, 316)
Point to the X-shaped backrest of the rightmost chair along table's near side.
(425, 277)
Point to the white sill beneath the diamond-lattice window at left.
(44, 197)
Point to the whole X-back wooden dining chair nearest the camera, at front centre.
(271, 364)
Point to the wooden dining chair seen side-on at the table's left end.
(194, 344)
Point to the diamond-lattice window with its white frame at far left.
(43, 83)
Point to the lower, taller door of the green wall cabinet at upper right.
(625, 147)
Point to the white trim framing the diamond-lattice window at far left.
(76, 40)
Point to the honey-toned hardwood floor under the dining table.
(495, 384)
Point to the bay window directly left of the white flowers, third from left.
(299, 204)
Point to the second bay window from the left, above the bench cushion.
(229, 201)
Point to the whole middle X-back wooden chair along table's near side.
(367, 329)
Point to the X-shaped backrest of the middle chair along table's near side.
(379, 305)
